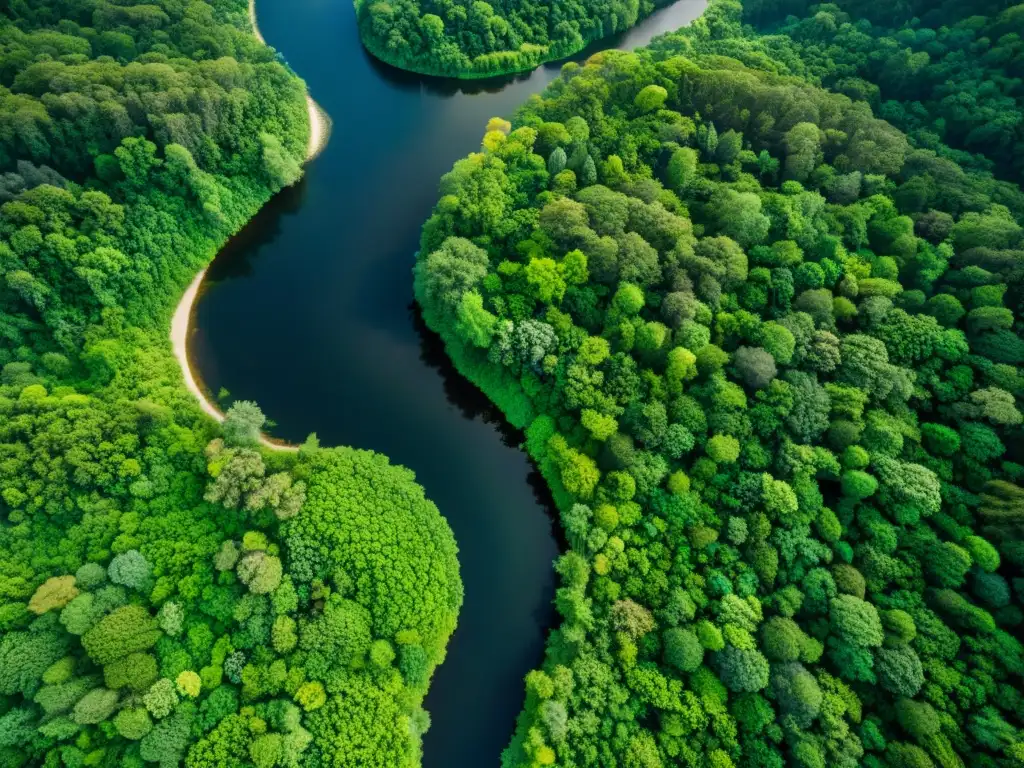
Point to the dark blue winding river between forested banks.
(309, 312)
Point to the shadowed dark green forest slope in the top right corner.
(950, 76)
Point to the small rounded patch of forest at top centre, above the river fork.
(480, 39)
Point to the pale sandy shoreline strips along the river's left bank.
(320, 132)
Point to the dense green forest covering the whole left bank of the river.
(172, 593)
